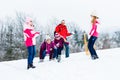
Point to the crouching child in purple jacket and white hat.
(47, 47)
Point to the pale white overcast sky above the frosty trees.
(77, 11)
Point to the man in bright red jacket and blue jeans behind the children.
(62, 30)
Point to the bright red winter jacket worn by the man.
(62, 30)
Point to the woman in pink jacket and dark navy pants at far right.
(94, 35)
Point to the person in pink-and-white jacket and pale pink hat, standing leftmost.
(29, 38)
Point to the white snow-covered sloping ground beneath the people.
(77, 67)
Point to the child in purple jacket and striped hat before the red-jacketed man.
(58, 42)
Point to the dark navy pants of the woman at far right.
(91, 43)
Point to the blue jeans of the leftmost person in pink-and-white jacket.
(31, 54)
